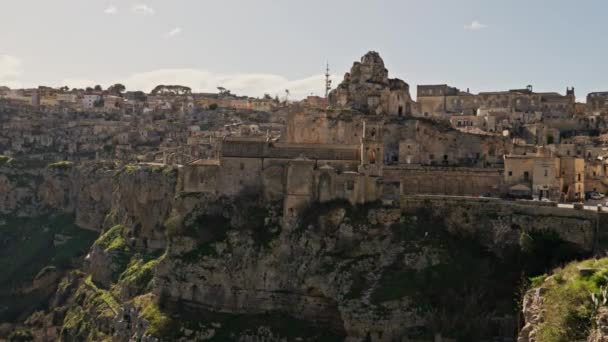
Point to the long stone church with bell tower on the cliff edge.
(298, 174)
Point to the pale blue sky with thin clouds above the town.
(254, 47)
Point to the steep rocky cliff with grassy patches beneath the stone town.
(174, 266)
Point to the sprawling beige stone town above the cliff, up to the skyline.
(367, 140)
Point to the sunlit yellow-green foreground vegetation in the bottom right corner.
(568, 309)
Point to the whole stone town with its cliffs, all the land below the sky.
(363, 215)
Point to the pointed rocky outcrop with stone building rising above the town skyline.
(368, 89)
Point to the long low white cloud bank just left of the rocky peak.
(241, 84)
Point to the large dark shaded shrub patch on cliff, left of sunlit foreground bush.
(461, 275)
